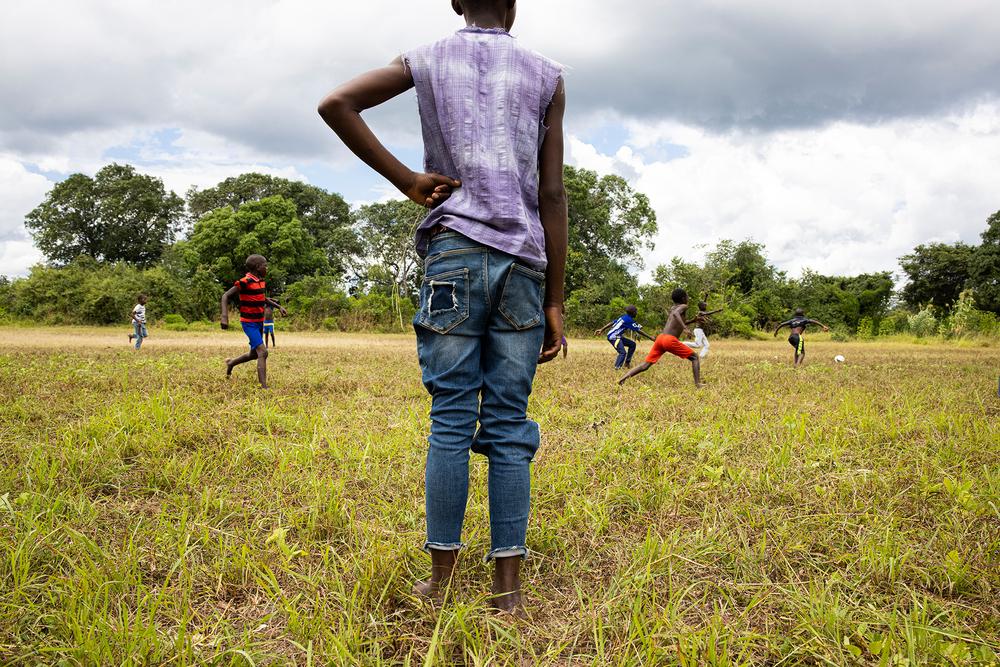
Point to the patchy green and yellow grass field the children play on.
(153, 513)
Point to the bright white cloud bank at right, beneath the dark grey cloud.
(844, 199)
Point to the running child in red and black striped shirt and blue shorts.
(250, 289)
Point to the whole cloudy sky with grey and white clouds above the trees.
(838, 134)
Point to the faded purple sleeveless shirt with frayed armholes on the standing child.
(482, 101)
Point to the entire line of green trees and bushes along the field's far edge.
(109, 237)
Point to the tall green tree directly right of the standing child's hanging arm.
(610, 224)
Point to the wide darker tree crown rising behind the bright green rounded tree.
(325, 216)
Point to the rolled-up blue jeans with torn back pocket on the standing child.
(479, 331)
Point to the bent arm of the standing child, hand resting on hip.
(341, 110)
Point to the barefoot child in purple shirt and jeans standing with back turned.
(491, 113)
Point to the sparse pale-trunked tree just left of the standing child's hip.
(388, 262)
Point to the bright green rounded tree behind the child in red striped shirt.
(223, 239)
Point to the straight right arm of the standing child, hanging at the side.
(553, 211)
